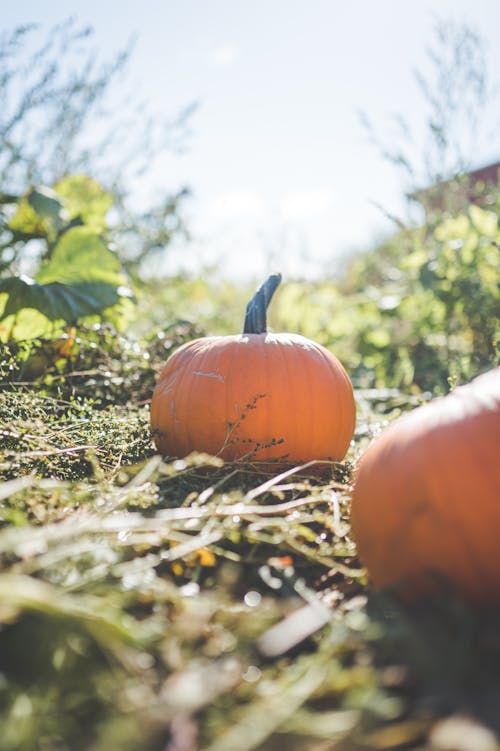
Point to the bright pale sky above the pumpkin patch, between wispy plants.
(282, 173)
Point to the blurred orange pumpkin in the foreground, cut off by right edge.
(425, 508)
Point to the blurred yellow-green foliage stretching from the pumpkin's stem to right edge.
(416, 311)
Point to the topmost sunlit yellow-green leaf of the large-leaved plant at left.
(85, 198)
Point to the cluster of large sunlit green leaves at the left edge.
(79, 276)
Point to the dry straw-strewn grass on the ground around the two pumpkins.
(185, 605)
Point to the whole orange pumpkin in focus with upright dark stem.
(257, 395)
